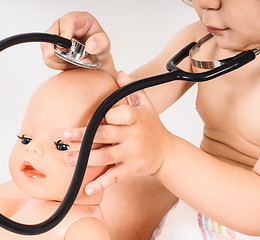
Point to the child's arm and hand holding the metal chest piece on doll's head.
(85, 27)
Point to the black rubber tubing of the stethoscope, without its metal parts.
(174, 74)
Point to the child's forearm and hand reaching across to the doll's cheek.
(226, 193)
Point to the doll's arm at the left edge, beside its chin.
(11, 198)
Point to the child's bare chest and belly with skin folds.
(229, 107)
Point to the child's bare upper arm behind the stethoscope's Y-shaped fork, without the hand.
(163, 96)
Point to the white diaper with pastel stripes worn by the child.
(182, 222)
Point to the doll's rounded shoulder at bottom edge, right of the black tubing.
(87, 228)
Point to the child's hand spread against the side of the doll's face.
(139, 143)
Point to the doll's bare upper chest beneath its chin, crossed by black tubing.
(36, 211)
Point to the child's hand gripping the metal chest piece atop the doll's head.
(84, 27)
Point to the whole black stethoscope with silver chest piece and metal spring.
(75, 53)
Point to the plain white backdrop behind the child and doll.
(138, 30)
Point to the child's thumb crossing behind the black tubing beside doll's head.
(136, 98)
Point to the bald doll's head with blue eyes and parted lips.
(67, 100)
